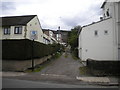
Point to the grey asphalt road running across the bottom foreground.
(13, 83)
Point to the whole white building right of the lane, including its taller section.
(101, 40)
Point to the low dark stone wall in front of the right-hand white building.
(103, 67)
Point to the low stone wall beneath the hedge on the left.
(21, 65)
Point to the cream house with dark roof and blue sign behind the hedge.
(21, 27)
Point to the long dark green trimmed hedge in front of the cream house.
(22, 49)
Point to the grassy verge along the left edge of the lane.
(40, 67)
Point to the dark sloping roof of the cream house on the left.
(16, 20)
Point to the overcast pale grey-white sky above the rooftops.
(54, 13)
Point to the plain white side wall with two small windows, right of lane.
(97, 47)
